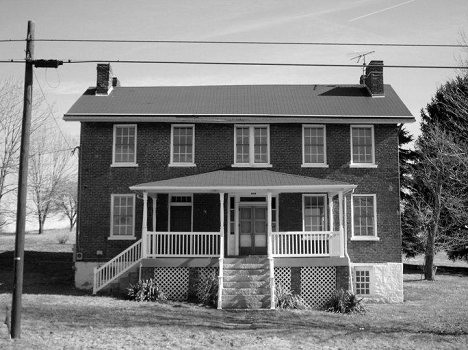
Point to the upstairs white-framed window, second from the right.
(314, 146)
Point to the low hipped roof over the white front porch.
(244, 180)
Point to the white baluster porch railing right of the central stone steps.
(299, 243)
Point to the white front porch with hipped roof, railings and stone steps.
(249, 223)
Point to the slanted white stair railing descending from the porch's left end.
(115, 267)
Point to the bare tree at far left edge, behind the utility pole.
(11, 111)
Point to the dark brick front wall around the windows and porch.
(215, 150)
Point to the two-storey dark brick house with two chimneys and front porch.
(256, 185)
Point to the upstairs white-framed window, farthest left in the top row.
(124, 150)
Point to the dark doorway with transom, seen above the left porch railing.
(180, 213)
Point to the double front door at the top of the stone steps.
(253, 230)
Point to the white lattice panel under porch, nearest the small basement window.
(317, 284)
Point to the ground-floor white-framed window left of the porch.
(123, 216)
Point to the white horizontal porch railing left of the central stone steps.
(183, 244)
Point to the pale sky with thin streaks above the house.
(344, 21)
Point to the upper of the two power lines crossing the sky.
(240, 42)
